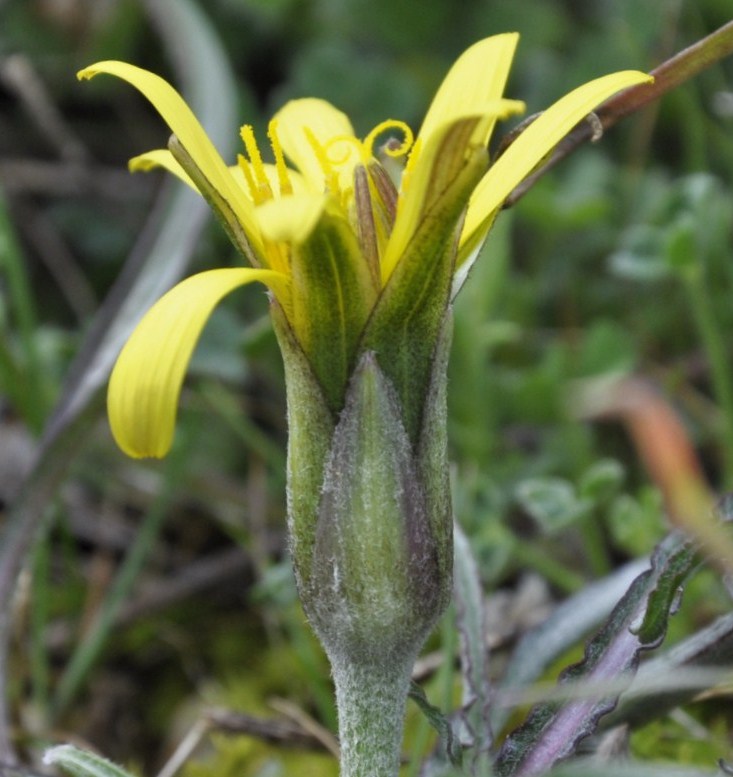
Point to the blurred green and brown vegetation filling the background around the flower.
(158, 589)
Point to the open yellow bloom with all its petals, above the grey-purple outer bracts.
(354, 261)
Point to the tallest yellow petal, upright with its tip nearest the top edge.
(476, 78)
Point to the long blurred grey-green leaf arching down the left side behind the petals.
(157, 262)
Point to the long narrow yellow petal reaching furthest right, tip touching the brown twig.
(533, 144)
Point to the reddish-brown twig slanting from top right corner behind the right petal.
(670, 74)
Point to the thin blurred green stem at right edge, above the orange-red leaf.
(716, 351)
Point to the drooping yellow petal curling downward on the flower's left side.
(146, 380)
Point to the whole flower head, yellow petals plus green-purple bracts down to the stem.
(361, 269)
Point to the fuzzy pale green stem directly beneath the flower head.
(371, 699)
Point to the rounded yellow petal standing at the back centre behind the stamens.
(299, 118)
